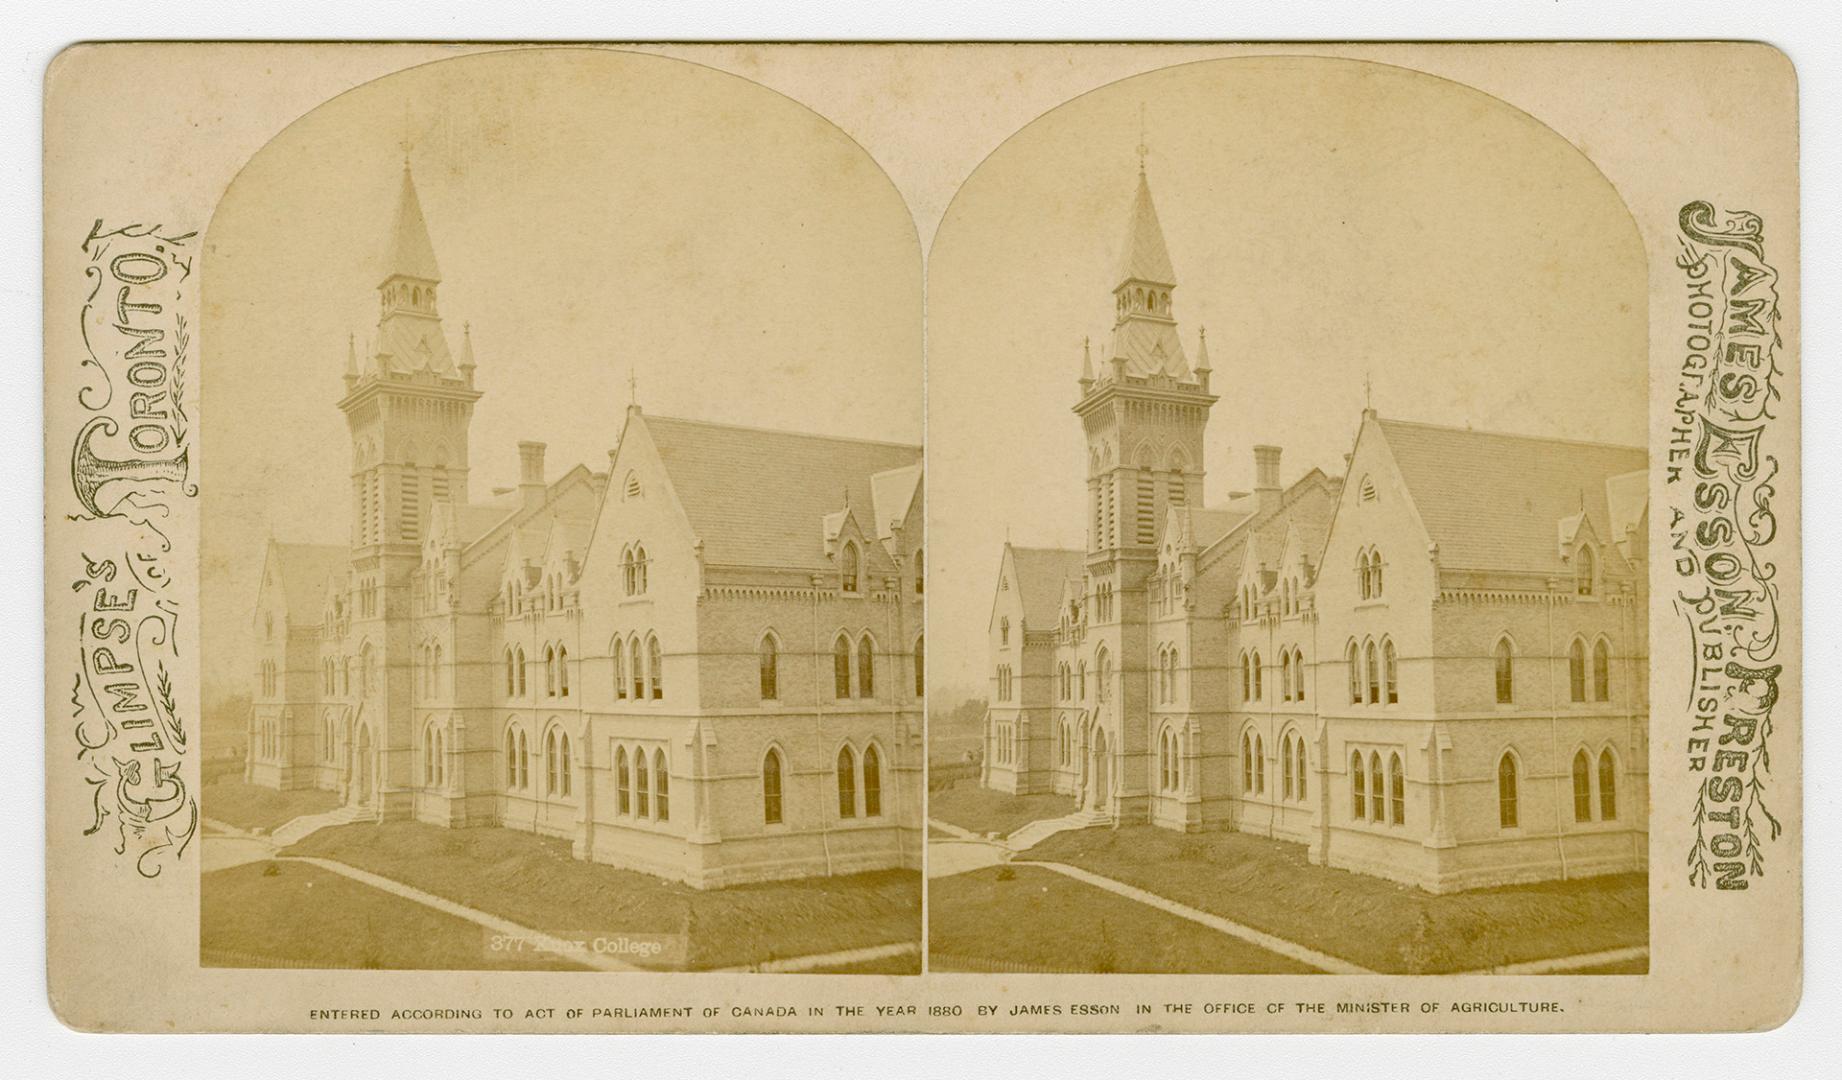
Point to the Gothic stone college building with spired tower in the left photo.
(703, 663)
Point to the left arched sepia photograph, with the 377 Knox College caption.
(563, 532)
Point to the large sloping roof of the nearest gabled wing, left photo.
(758, 497)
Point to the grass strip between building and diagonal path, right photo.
(1368, 921)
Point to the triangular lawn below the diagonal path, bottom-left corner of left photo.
(286, 915)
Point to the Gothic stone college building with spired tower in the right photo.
(1432, 670)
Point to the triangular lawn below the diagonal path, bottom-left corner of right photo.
(1025, 919)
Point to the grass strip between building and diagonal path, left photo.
(535, 882)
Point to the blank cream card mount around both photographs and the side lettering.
(1666, 124)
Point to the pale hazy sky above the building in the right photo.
(1329, 222)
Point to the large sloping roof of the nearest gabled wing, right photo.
(1493, 502)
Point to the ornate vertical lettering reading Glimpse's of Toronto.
(130, 471)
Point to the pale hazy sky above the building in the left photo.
(594, 215)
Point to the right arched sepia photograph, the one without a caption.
(1290, 521)
